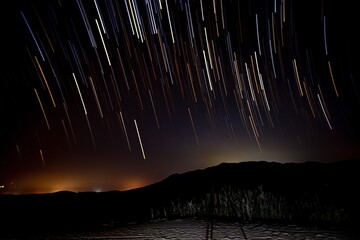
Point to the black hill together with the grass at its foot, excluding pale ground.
(302, 189)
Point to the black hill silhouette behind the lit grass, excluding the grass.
(332, 184)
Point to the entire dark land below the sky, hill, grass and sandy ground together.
(321, 198)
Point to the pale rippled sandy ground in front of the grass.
(201, 229)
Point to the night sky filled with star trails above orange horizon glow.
(116, 94)
